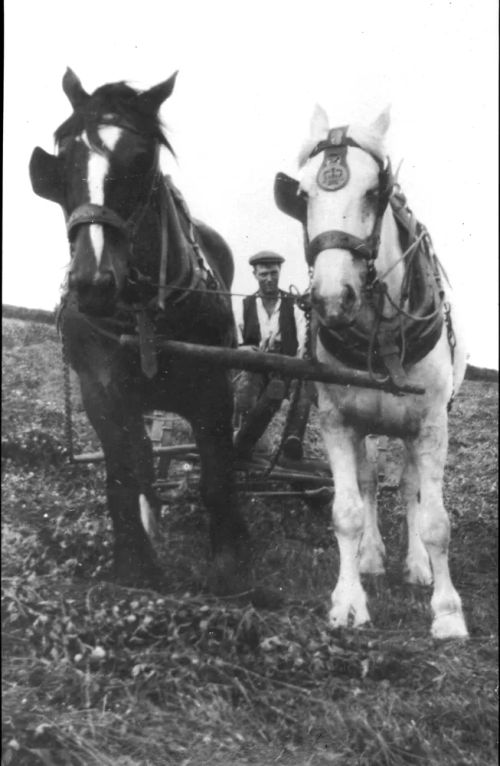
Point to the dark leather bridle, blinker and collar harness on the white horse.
(408, 336)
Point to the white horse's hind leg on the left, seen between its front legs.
(372, 551)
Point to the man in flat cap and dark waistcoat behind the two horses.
(271, 321)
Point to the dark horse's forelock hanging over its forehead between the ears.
(119, 100)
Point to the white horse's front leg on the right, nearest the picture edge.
(428, 452)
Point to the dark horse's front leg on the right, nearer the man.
(229, 535)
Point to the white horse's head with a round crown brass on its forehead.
(346, 183)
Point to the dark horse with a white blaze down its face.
(139, 265)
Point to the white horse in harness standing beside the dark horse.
(379, 300)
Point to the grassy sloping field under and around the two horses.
(94, 674)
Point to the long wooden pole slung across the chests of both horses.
(258, 361)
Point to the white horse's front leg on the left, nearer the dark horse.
(348, 597)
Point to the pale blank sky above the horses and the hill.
(250, 74)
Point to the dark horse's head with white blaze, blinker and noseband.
(102, 175)
